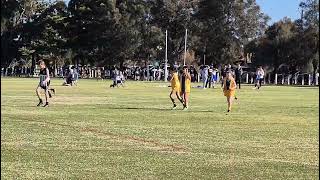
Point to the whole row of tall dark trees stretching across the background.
(107, 32)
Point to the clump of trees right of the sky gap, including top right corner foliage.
(295, 44)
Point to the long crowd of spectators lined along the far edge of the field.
(208, 75)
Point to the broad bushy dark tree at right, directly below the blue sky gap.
(285, 42)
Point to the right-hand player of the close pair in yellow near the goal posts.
(185, 86)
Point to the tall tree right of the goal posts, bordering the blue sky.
(228, 26)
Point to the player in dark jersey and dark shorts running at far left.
(44, 83)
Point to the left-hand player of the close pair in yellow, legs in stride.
(175, 85)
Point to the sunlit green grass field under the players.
(94, 132)
